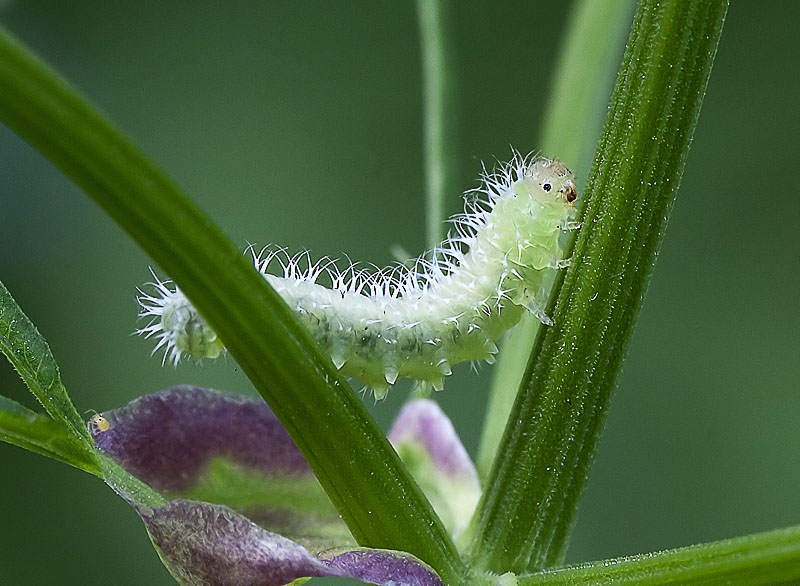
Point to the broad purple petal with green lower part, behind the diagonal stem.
(208, 446)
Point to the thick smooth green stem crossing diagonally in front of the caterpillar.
(361, 473)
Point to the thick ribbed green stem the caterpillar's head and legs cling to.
(528, 509)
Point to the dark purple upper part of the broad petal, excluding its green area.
(167, 439)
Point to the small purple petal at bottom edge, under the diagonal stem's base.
(385, 568)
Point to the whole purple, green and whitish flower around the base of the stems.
(236, 480)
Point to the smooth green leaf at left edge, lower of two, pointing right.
(40, 434)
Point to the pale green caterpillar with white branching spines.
(414, 321)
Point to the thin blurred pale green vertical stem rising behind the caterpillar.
(440, 127)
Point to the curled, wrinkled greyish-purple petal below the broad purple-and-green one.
(210, 545)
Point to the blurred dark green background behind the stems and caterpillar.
(299, 123)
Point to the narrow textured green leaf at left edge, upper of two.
(30, 355)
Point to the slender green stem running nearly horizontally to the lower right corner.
(763, 559)
